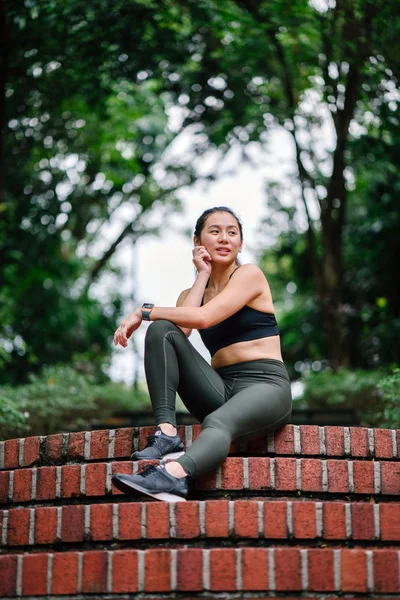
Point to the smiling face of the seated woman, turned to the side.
(221, 237)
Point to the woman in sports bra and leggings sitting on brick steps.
(245, 393)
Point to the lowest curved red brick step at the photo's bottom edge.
(226, 570)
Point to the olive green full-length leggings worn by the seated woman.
(245, 400)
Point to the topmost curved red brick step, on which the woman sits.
(294, 440)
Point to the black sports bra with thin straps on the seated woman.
(244, 325)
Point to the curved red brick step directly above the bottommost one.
(275, 520)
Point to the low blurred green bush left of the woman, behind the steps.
(61, 399)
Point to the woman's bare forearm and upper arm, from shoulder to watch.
(247, 283)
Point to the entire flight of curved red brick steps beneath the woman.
(309, 512)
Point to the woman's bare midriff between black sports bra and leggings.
(269, 347)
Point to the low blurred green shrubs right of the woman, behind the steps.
(374, 397)
